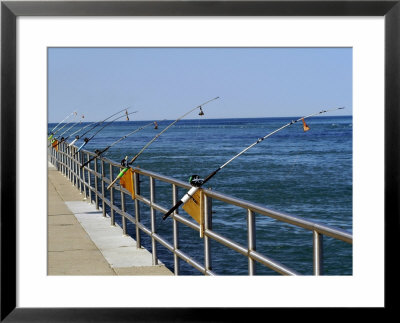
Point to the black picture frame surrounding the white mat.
(10, 10)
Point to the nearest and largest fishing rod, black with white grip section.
(197, 183)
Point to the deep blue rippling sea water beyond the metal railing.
(306, 174)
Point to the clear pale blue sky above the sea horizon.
(167, 82)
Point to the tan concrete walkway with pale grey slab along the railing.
(83, 242)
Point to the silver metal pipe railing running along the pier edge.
(92, 181)
